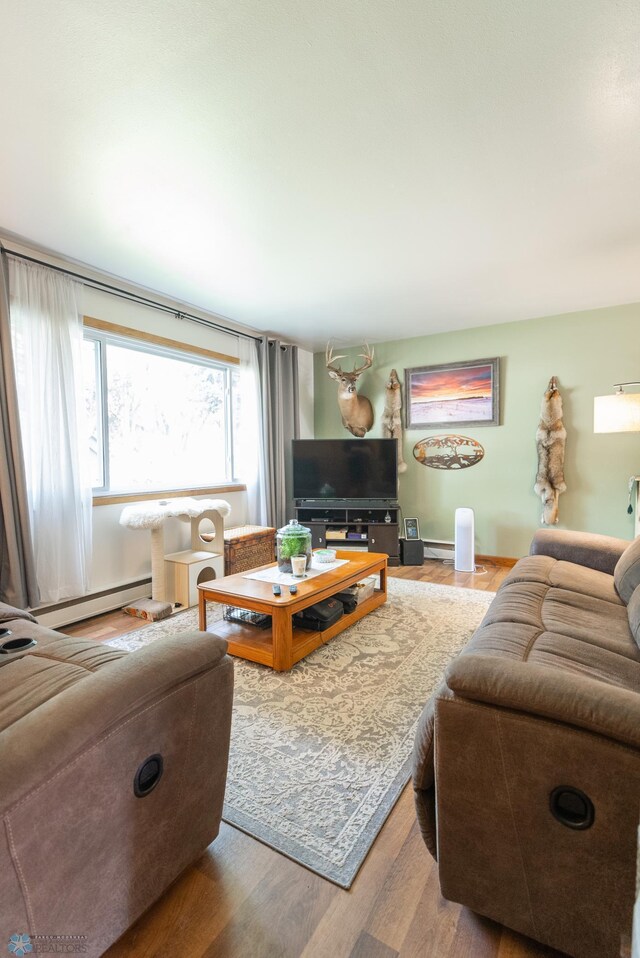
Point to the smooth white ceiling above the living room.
(350, 168)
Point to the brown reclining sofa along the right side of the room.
(527, 758)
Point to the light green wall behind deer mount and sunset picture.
(588, 352)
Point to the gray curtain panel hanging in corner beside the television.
(280, 424)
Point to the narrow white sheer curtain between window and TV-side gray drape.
(249, 441)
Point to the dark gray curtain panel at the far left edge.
(18, 584)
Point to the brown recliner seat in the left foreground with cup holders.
(112, 776)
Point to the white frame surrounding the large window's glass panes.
(104, 339)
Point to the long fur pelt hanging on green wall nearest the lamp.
(550, 440)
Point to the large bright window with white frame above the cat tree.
(159, 419)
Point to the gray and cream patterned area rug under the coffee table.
(320, 755)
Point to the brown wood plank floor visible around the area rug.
(244, 900)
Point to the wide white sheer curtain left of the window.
(46, 326)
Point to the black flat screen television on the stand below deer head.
(345, 469)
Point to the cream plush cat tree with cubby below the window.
(174, 577)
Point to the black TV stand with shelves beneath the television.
(366, 524)
